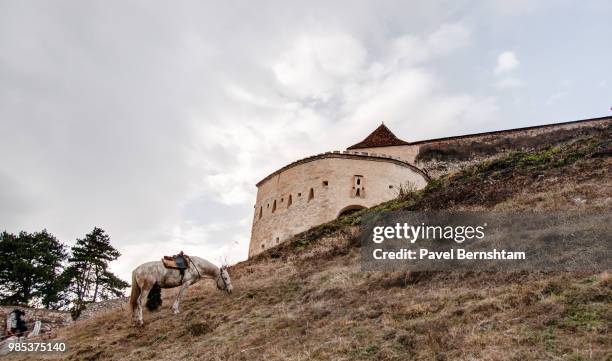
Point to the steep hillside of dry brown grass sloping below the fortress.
(308, 299)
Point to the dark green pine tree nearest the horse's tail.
(88, 270)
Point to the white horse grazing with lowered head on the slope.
(149, 278)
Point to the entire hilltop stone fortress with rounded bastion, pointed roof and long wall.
(318, 189)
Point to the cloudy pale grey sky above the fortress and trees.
(154, 119)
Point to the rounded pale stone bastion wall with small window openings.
(380, 180)
